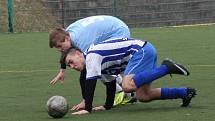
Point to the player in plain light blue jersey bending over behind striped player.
(82, 34)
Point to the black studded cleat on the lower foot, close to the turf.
(191, 92)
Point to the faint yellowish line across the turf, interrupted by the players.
(33, 71)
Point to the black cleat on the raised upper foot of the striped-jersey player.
(175, 68)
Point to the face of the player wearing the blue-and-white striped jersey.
(76, 61)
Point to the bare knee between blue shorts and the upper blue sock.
(128, 84)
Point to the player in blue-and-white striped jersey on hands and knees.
(137, 61)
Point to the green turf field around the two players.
(27, 64)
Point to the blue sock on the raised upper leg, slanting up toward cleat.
(146, 77)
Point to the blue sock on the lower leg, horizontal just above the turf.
(173, 93)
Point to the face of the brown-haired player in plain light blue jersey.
(63, 46)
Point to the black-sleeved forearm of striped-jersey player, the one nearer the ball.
(89, 94)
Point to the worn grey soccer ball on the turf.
(57, 106)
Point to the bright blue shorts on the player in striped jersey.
(144, 59)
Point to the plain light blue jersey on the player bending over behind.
(94, 29)
